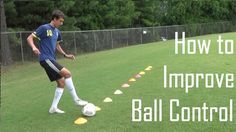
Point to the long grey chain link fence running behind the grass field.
(80, 42)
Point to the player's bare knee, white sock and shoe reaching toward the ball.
(69, 84)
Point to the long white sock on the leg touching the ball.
(71, 88)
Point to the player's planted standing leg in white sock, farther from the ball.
(58, 93)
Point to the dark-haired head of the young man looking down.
(57, 18)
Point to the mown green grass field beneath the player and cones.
(27, 93)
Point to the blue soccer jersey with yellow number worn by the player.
(48, 37)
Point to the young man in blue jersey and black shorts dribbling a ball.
(49, 41)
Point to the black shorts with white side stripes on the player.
(52, 69)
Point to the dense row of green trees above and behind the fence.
(107, 14)
